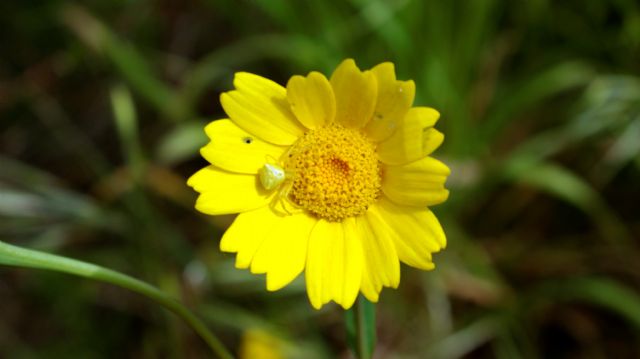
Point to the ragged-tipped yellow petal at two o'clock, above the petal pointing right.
(414, 139)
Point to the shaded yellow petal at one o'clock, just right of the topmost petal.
(394, 99)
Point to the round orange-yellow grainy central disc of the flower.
(336, 173)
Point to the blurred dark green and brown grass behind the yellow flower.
(102, 108)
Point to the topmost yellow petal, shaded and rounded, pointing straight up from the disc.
(355, 92)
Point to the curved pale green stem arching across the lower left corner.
(22, 257)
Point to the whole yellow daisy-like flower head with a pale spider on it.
(330, 177)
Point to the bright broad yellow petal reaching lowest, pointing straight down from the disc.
(334, 265)
